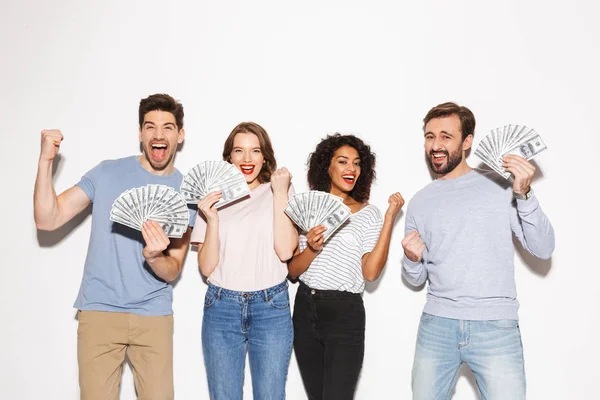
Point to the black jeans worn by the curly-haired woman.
(329, 341)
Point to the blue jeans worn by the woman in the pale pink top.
(259, 322)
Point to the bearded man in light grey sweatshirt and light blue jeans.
(459, 237)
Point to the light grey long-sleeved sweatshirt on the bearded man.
(467, 225)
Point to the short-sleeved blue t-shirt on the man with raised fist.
(116, 276)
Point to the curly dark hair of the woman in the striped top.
(320, 160)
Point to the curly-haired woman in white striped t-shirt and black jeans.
(329, 315)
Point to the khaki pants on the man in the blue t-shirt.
(103, 341)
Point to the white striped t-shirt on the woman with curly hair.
(339, 264)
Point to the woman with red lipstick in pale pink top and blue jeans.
(242, 250)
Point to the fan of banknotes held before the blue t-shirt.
(158, 203)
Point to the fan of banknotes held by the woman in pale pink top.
(211, 176)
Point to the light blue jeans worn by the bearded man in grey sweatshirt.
(492, 349)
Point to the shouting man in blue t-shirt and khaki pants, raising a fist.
(125, 299)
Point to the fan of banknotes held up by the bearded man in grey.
(509, 139)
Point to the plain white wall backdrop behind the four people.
(302, 70)
